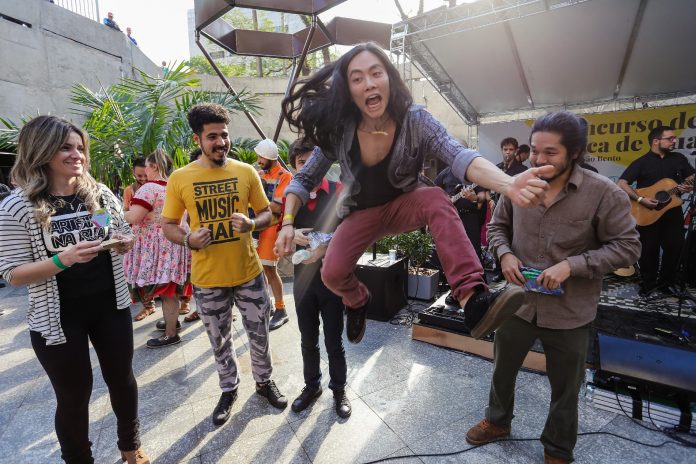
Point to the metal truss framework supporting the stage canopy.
(413, 39)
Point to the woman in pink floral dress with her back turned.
(156, 267)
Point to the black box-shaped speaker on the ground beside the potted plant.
(386, 280)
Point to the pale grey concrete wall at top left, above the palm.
(55, 50)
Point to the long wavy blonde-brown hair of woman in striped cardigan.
(39, 141)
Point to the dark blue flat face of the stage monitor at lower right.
(663, 365)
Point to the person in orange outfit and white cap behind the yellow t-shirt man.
(274, 178)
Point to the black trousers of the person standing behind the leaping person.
(313, 301)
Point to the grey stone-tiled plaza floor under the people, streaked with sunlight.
(409, 399)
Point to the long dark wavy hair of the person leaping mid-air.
(320, 105)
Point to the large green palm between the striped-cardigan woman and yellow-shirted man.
(136, 116)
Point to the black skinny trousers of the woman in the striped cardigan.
(70, 371)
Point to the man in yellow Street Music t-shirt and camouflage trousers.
(217, 192)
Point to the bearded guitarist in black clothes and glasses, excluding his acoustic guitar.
(667, 233)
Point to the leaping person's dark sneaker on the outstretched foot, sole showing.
(485, 310)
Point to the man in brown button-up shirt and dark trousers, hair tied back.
(582, 231)
